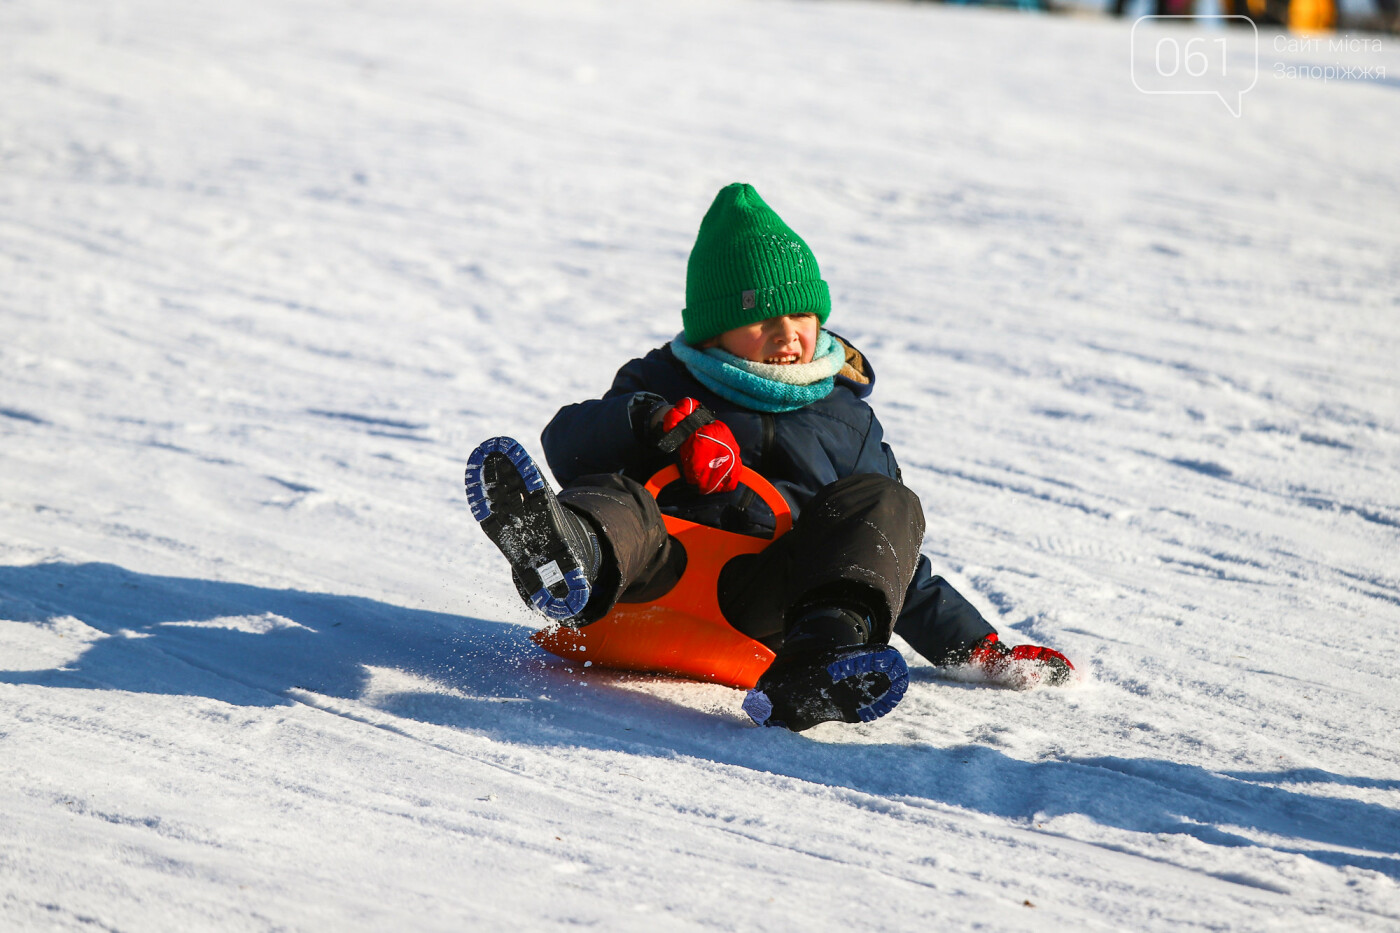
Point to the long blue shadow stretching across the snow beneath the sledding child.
(237, 644)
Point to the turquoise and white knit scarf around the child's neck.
(765, 387)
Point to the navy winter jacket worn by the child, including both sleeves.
(797, 452)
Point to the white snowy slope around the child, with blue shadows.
(271, 270)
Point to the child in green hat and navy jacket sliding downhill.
(755, 379)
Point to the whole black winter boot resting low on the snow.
(827, 673)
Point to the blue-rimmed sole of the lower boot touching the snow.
(857, 687)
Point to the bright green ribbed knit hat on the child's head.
(748, 267)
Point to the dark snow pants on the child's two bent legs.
(859, 537)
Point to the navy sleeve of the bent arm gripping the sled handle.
(600, 436)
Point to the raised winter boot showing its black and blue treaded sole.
(554, 554)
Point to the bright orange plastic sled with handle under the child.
(682, 633)
